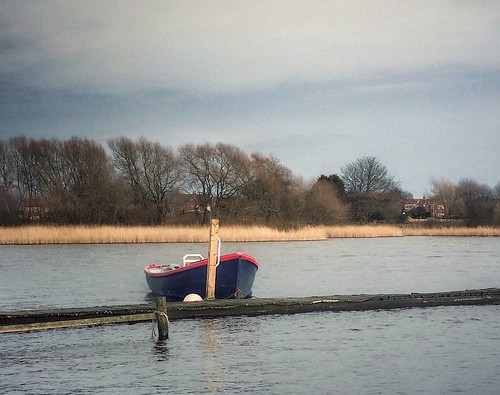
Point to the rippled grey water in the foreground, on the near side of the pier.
(441, 350)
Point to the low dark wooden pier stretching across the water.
(30, 320)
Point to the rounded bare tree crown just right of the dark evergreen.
(367, 175)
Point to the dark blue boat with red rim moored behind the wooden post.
(234, 279)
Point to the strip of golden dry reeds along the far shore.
(190, 234)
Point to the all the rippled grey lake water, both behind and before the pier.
(407, 351)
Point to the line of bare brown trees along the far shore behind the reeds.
(142, 182)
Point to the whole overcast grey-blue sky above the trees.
(317, 84)
